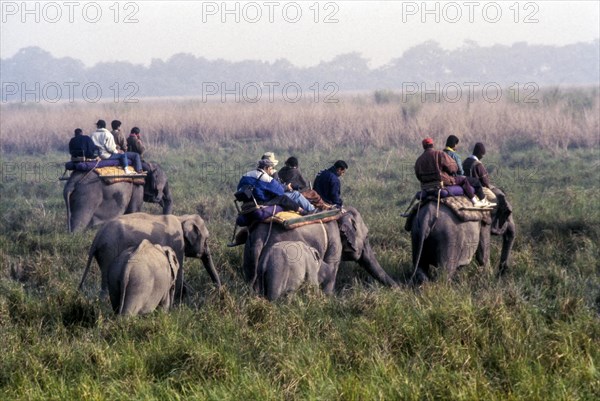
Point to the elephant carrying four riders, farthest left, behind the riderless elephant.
(91, 202)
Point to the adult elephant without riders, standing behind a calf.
(186, 235)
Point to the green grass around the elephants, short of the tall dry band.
(533, 334)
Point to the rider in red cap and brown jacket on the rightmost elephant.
(435, 166)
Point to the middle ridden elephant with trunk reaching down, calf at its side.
(344, 239)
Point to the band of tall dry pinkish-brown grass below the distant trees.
(557, 122)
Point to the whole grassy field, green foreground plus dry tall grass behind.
(532, 335)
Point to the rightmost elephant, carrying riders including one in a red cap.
(447, 242)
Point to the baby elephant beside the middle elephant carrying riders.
(284, 266)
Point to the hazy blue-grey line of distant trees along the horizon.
(188, 75)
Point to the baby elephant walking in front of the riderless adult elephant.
(142, 278)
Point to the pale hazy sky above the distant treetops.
(303, 32)
